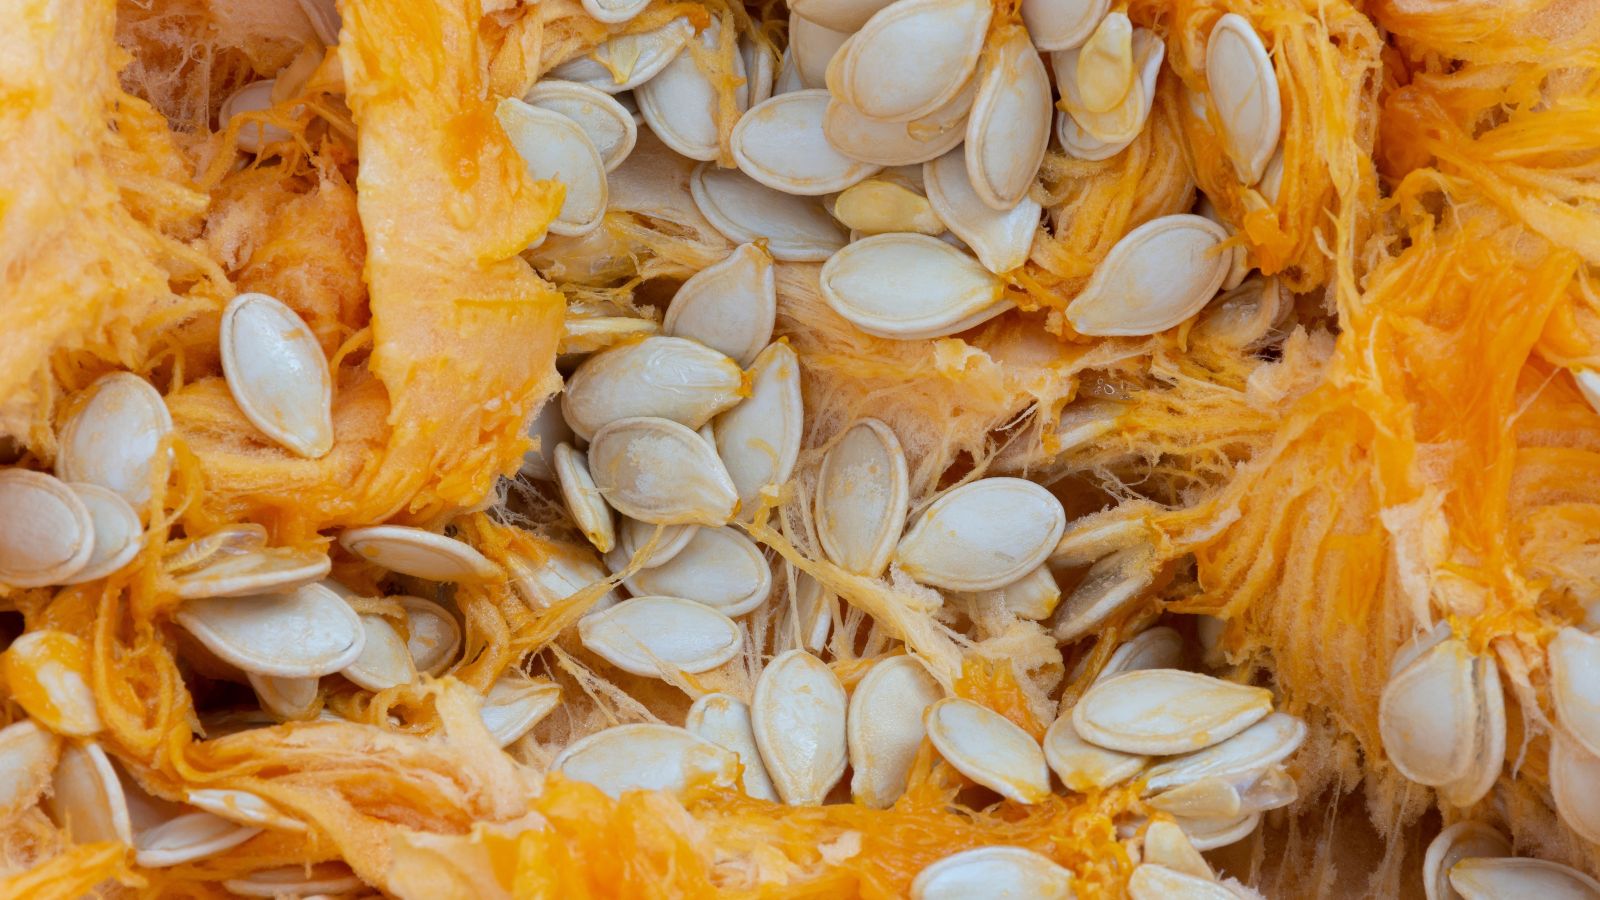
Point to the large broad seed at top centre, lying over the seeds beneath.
(911, 58)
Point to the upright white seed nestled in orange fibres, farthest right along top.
(1246, 92)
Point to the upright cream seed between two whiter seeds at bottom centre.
(884, 729)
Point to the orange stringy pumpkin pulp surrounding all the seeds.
(1418, 440)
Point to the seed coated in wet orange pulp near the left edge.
(47, 673)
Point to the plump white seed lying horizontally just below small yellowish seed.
(911, 287)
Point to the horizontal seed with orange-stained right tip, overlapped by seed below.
(673, 379)
